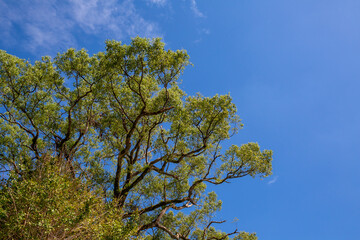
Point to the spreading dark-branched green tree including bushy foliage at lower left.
(110, 143)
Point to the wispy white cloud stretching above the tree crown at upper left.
(43, 25)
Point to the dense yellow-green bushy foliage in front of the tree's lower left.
(52, 205)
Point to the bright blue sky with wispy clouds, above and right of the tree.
(292, 68)
